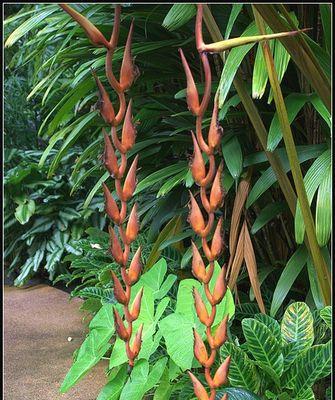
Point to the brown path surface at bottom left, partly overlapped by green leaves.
(37, 353)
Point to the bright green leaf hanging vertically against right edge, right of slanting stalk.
(323, 220)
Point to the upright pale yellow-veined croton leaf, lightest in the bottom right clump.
(297, 326)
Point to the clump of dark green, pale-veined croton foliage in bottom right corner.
(279, 361)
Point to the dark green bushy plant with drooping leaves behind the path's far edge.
(41, 222)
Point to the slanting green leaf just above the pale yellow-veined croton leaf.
(290, 273)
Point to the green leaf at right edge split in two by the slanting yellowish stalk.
(312, 180)
